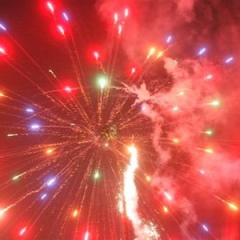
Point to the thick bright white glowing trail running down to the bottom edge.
(141, 230)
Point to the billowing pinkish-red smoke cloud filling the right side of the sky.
(203, 94)
